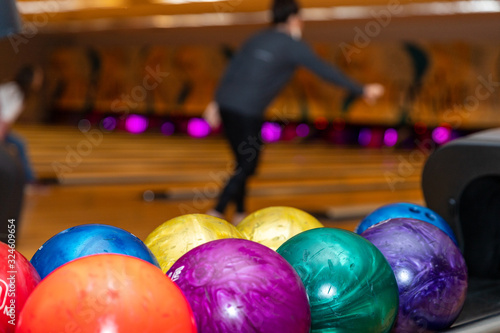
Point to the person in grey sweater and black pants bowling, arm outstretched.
(254, 77)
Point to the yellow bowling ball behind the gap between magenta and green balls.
(274, 225)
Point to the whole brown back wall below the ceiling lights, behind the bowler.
(449, 74)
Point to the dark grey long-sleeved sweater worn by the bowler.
(264, 65)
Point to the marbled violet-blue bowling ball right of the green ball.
(429, 269)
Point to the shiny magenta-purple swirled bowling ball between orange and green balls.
(236, 285)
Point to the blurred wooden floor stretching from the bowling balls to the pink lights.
(105, 177)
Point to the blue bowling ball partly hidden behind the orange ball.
(87, 240)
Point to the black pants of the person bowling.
(244, 136)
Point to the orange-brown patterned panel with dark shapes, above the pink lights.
(455, 83)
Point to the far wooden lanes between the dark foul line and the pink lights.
(94, 158)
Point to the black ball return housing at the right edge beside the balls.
(461, 182)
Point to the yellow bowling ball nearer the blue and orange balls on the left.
(177, 236)
